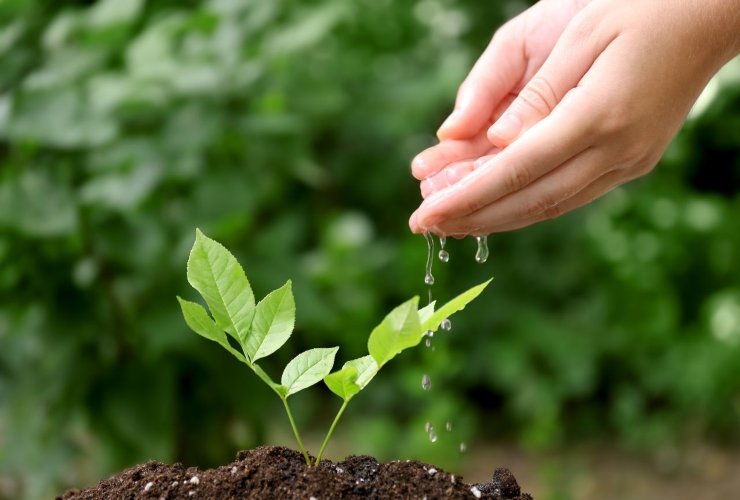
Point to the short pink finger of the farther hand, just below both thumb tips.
(432, 160)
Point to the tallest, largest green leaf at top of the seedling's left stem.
(219, 278)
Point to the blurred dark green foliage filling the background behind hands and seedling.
(284, 129)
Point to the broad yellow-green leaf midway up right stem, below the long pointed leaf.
(399, 330)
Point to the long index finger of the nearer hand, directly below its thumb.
(549, 144)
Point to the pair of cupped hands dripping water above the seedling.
(606, 87)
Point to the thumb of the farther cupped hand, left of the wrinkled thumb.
(493, 77)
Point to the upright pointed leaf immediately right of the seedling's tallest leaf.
(272, 324)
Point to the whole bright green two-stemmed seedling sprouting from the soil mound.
(261, 329)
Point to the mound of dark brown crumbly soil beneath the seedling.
(278, 472)
